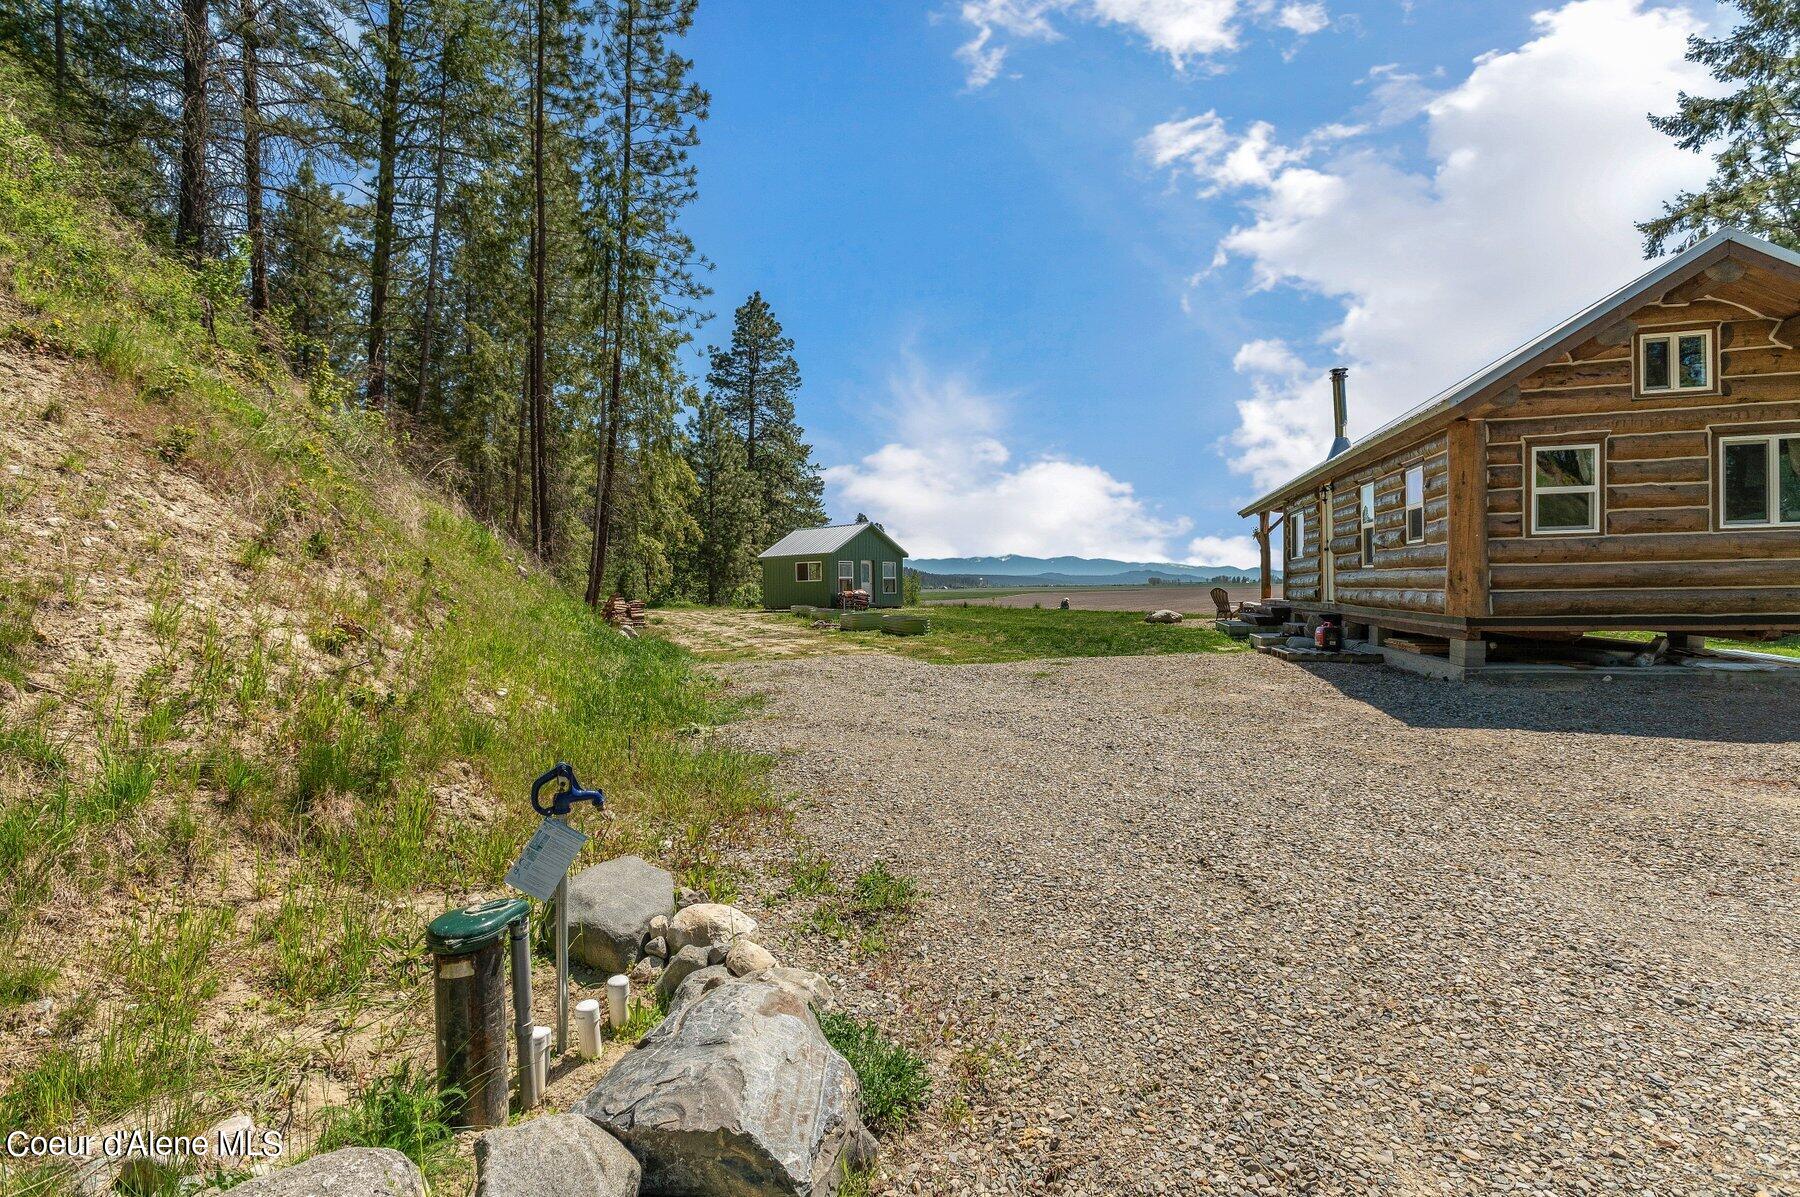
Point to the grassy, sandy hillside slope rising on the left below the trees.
(265, 701)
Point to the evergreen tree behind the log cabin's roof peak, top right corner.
(1756, 181)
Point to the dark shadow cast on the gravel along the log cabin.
(1752, 712)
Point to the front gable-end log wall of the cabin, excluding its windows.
(1660, 550)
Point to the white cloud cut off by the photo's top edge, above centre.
(1182, 30)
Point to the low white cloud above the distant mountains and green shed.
(949, 487)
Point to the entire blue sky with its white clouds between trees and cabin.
(1065, 276)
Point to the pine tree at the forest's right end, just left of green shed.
(755, 381)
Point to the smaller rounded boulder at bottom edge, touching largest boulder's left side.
(553, 1156)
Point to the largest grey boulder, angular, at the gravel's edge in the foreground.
(737, 1093)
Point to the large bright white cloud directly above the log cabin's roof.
(1538, 165)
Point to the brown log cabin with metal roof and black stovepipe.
(1635, 467)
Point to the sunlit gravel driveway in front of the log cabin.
(1223, 924)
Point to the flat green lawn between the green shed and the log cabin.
(994, 634)
